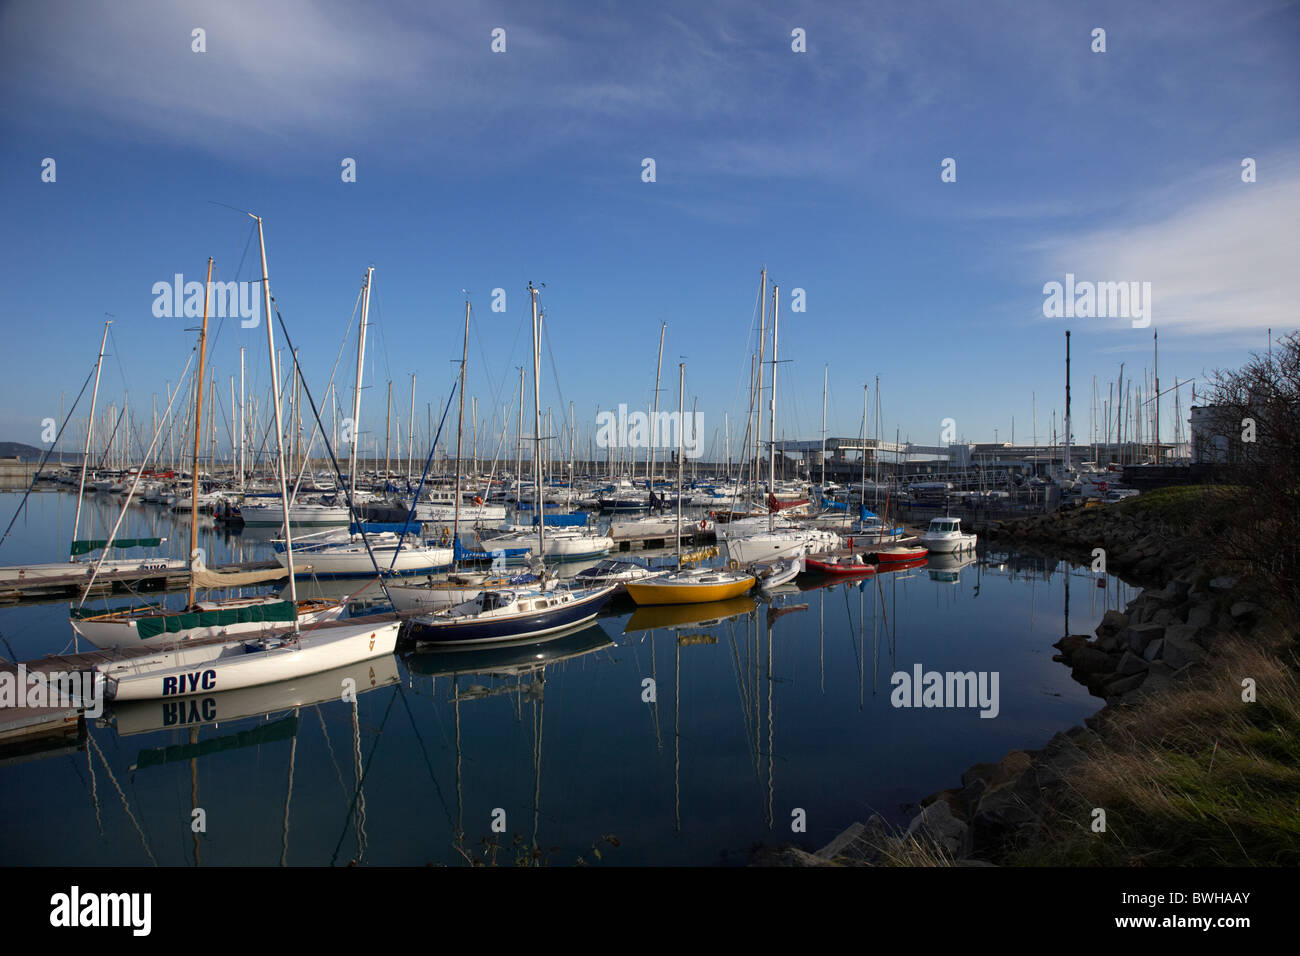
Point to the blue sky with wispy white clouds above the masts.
(480, 171)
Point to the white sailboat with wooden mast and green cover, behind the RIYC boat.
(235, 617)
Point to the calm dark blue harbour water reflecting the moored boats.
(760, 710)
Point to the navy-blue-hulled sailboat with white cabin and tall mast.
(527, 612)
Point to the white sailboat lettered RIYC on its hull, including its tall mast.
(224, 667)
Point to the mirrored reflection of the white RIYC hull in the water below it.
(142, 717)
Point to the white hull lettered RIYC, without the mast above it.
(211, 668)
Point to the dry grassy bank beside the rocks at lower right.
(1194, 777)
